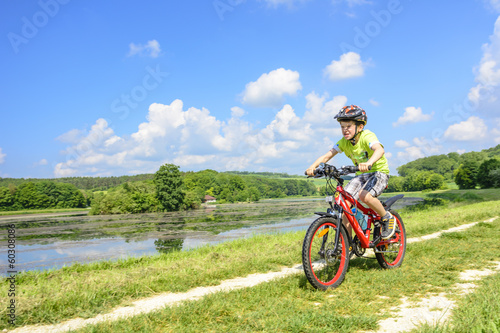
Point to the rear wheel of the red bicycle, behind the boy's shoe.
(390, 260)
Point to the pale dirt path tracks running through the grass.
(408, 316)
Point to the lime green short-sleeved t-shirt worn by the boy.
(362, 151)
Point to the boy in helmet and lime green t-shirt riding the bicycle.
(364, 149)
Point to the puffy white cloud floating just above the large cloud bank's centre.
(270, 88)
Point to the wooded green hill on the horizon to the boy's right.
(446, 164)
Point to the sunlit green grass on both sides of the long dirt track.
(287, 305)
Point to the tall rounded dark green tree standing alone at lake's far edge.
(168, 184)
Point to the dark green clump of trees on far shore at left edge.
(41, 195)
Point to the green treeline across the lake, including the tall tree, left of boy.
(171, 190)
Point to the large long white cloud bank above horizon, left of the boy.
(195, 139)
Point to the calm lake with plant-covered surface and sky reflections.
(44, 242)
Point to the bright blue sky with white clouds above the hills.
(93, 88)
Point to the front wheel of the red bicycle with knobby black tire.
(324, 267)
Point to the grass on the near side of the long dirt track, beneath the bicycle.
(291, 305)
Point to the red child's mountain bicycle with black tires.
(328, 248)
